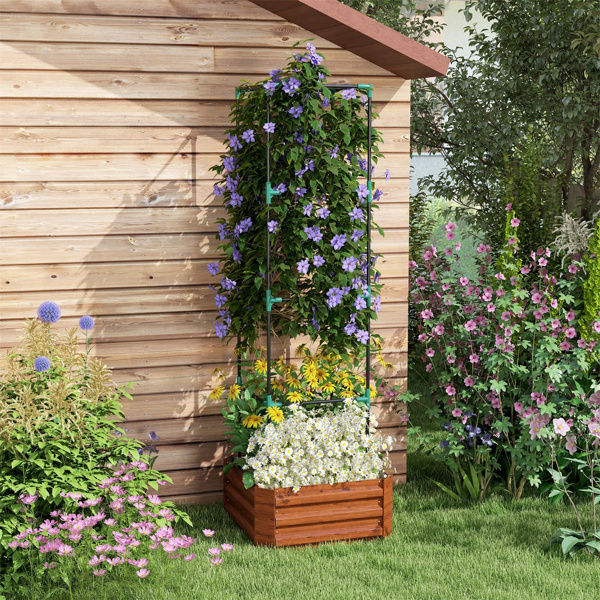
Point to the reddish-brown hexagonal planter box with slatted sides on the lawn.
(317, 513)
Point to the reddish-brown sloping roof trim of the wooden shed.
(361, 35)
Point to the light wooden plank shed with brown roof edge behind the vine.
(111, 113)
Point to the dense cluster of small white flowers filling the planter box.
(312, 447)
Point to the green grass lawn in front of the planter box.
(440, 549)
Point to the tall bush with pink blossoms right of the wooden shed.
(504, 354)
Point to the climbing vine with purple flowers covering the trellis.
(317, 223)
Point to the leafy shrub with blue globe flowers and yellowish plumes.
(59, 432)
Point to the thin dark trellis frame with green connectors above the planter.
(270, 300)
